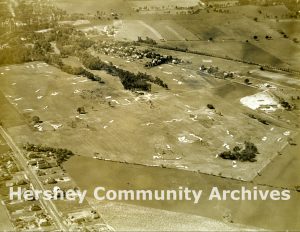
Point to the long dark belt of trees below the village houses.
(129, 80)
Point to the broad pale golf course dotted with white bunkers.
(171, 128)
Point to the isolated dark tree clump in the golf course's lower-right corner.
(248, 153)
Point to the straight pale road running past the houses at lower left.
(48, 205)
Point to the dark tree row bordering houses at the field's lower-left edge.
(61, 155)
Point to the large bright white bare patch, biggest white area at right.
(261, 101)
